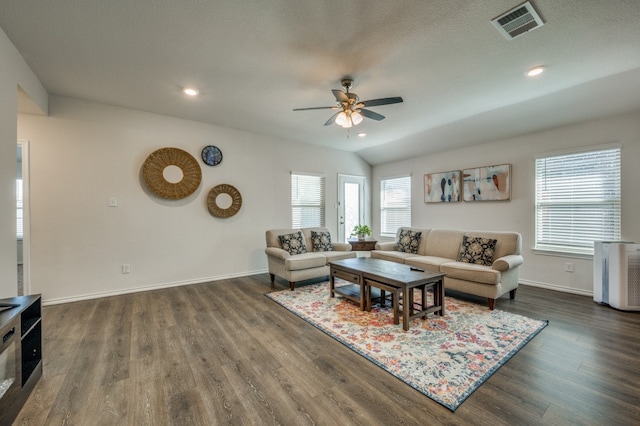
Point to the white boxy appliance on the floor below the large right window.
(616, 274)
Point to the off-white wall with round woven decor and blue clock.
(83, 153)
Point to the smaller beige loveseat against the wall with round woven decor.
(291, 261)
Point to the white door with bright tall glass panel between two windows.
(350, 204)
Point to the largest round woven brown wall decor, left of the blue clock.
(153, 173)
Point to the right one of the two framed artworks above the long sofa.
(489, 183)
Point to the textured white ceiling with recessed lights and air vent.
(254, 61)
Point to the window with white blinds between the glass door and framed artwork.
(395, 204)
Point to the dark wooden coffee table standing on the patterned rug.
(396, 278)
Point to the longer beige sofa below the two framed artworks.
(439, 250)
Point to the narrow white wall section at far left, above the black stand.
(14, 72)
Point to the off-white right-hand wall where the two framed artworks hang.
(518, 214)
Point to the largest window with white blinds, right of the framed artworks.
(577, 200)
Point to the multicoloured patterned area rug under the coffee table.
(445, 358)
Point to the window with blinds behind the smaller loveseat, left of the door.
(307, 200)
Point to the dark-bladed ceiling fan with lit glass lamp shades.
(352, 110)
